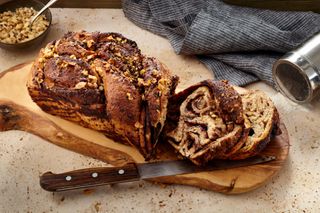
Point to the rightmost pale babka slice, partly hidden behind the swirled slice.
(263, 119)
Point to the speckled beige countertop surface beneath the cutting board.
(23, 157)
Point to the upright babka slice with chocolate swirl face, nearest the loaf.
(206, 121)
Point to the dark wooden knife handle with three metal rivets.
(85, 178)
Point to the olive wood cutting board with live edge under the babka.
(19, 112)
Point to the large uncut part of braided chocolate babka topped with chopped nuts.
(102, 81)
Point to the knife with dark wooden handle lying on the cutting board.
(92, 177)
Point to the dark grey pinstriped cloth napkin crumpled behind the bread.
(239, 44)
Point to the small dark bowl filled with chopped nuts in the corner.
(15, 29)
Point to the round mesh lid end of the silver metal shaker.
(296, 77)
